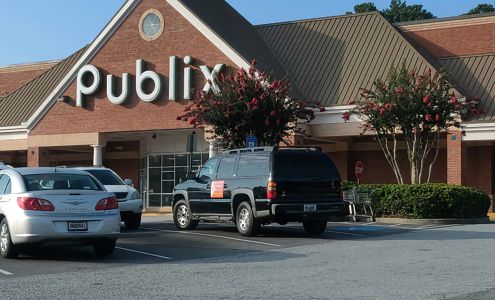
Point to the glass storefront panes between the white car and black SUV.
(165, 171)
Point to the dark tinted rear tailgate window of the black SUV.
(304, 164)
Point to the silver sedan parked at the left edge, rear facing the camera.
(53, 205)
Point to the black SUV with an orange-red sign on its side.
(258, 186)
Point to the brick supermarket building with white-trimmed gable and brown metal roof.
(43, 124)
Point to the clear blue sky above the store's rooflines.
(44, 30)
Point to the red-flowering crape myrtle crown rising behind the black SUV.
(247, 102)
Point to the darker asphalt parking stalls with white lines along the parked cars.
(158, 241)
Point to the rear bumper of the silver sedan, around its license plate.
(27, 229)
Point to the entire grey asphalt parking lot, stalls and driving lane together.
(350, 261)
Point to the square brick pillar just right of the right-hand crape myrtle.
(456, 158)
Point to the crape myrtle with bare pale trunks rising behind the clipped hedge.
(414, 108)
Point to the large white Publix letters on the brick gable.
(142, 75)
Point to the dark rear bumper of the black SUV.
(295, 211)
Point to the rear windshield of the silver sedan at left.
(60, 181)
